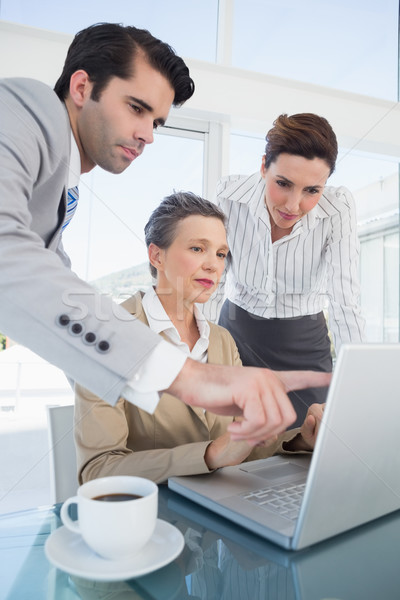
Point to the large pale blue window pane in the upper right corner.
(347, 44)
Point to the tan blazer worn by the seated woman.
(125, 440)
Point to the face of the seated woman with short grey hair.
(190, 269)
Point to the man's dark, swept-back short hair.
(107, 50)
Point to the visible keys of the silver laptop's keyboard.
(284, 499)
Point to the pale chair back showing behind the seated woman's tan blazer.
(63, 470)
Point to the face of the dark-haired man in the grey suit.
(113, 131)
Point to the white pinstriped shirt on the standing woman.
(296, 275)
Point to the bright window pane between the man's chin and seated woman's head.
(107, 234)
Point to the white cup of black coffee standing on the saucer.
(114, 529)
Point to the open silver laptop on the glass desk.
(352, 476)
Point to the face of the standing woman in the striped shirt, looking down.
(293, 186)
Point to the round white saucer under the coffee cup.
(67, 551)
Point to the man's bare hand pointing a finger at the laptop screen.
(258, 395)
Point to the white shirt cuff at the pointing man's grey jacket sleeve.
(156, 373)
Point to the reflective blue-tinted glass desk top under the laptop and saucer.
(219, 561)
